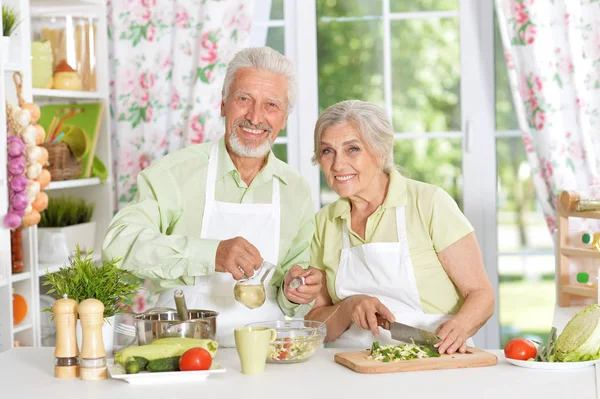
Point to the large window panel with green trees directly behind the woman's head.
(404, 57)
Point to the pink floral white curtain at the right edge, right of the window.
(552, 51)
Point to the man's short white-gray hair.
(263, 58)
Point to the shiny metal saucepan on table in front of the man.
(162, 323)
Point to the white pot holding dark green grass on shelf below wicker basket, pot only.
(55, 244)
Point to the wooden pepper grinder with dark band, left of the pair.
(66, 364)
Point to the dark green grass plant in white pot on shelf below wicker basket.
(64, 225)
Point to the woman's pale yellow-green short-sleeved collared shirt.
(433, 222)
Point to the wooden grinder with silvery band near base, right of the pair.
(93, 354)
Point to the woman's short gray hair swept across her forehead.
(371, 122)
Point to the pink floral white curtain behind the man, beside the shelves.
(168, 61)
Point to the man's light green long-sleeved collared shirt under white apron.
(157, 235)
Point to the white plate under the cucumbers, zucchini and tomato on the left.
(117, 371)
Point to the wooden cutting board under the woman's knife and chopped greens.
(358, 362)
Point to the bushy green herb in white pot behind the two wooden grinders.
(82, 278)
